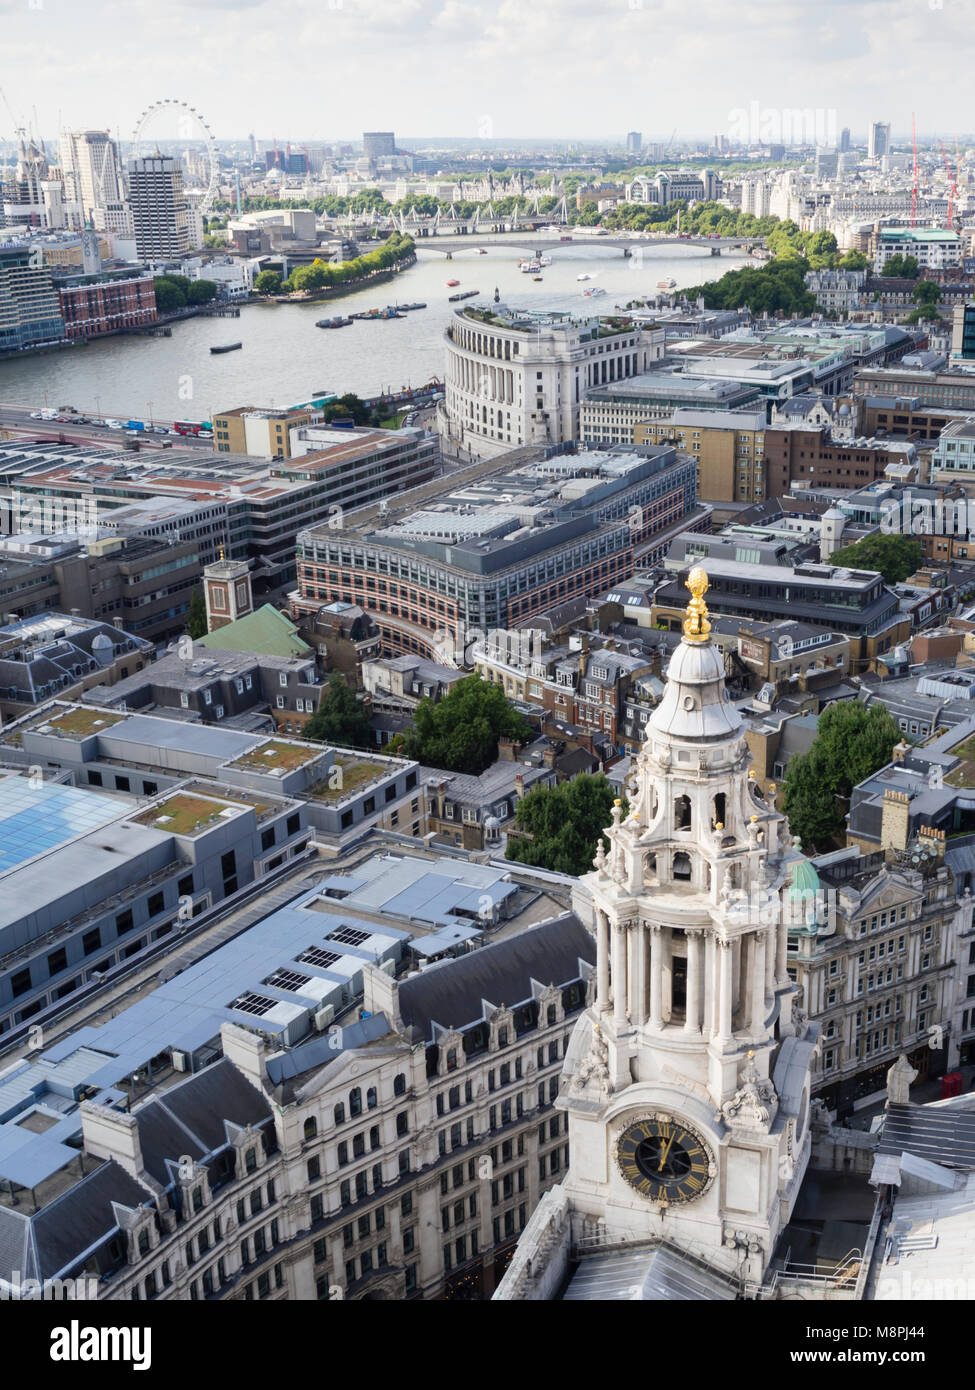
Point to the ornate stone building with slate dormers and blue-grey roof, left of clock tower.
(396, 1157)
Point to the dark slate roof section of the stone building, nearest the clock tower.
(454, 992)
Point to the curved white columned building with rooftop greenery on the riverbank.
(518, 379)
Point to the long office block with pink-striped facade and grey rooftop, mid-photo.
(503, 544)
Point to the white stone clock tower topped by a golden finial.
(688, 1079)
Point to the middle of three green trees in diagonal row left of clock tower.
(461, 732)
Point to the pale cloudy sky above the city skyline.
(326, 70)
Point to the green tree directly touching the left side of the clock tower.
(565, 824)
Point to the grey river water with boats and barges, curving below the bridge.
(286, 359)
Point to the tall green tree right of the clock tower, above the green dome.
(852, 744)
